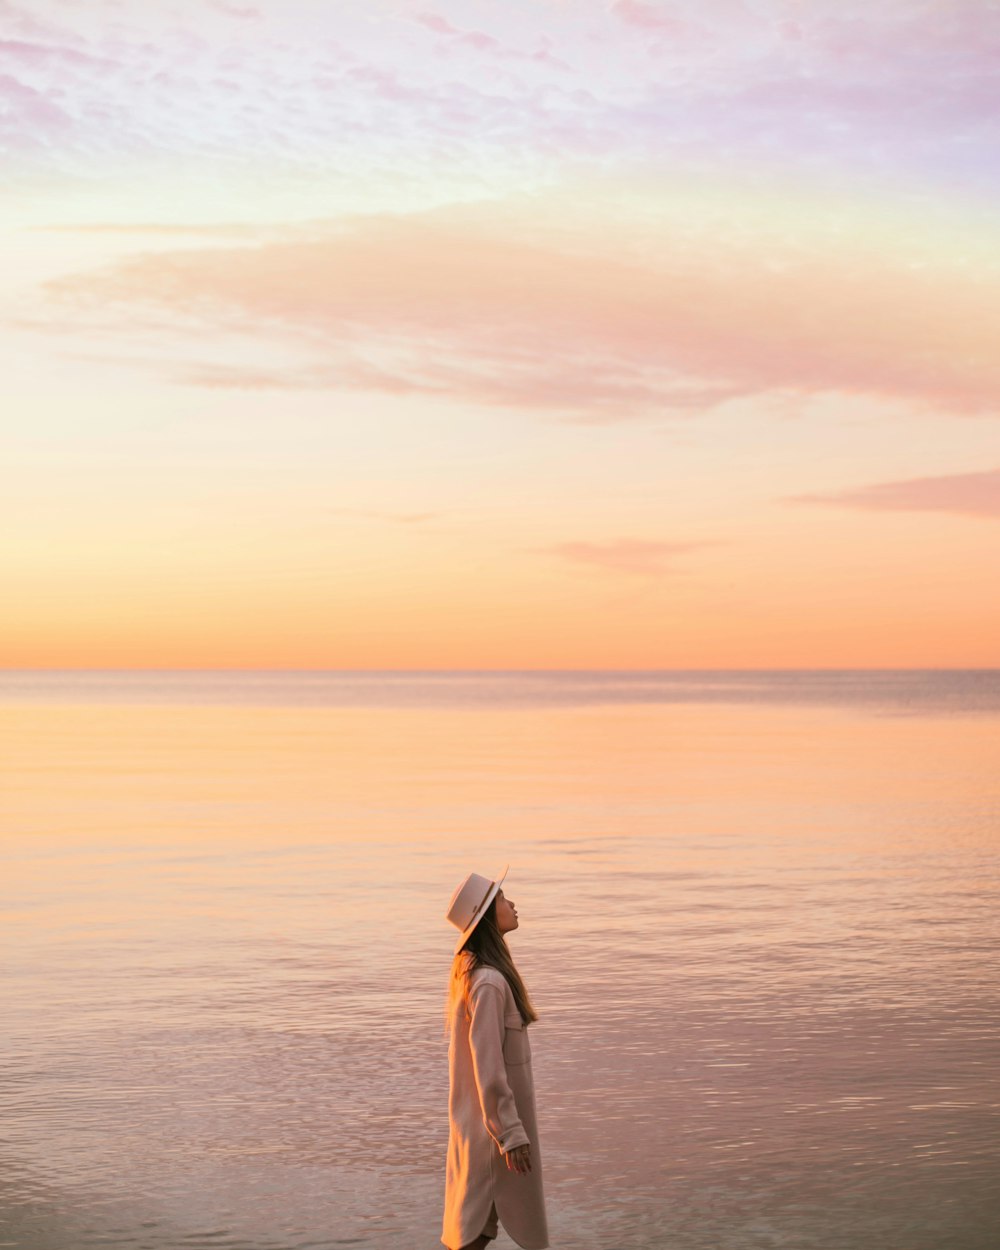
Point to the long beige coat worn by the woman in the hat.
(492, 1109)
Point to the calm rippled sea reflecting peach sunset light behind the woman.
(759, 917)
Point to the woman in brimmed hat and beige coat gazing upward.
(494, 1168)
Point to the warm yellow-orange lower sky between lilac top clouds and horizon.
(522, 434)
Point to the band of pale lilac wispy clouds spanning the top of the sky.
(889, 89)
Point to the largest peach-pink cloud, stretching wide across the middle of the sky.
(476, 306)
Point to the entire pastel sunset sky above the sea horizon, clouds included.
(501, 336)
